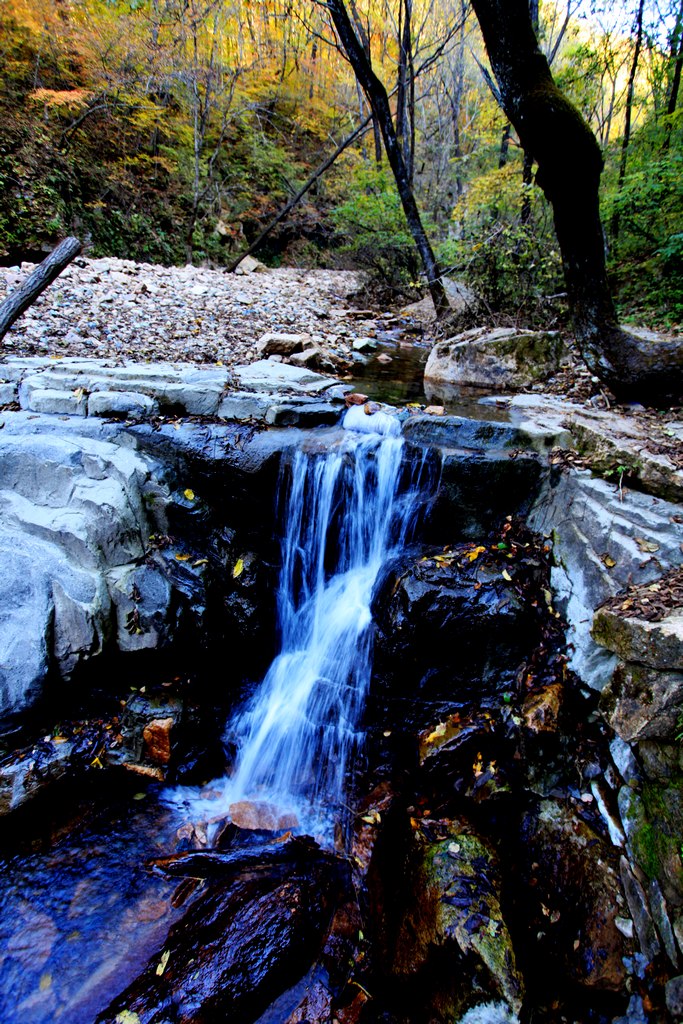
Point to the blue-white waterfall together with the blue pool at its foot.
(81, 914)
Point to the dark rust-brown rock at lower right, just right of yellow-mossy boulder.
(572, 876)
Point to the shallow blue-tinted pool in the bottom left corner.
(81, 917)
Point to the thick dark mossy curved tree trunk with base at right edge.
(570, 162)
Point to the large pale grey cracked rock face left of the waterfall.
(73, 509)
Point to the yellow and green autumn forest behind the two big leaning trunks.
(174, 131)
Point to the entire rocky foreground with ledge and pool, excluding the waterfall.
(516, 849)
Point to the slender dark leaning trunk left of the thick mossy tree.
(379, 103)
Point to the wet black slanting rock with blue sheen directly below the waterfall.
(236, 950)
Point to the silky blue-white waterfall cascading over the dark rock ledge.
(347, 511)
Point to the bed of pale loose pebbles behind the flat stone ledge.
(114, 309)
